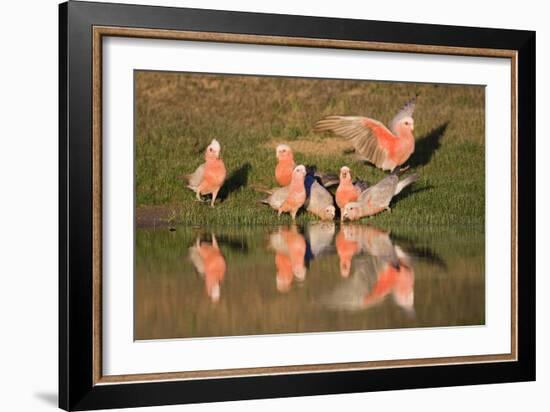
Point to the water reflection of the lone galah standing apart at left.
(210, 264)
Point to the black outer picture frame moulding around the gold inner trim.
(77, 390)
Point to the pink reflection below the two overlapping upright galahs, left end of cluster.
(290, 251)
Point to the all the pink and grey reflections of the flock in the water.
(371, 266)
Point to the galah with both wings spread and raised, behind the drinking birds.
(374, 142)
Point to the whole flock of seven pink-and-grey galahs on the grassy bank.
(301, 187)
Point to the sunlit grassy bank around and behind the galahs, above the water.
(178, 114)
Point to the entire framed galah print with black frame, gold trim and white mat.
(257, 205)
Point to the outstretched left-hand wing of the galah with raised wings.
(369, 137)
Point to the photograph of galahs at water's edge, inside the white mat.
(284, 205)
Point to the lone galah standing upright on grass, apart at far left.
(208, 178)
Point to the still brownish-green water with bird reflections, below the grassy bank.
(202, 282)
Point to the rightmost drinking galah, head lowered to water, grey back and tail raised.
(377, 198)
